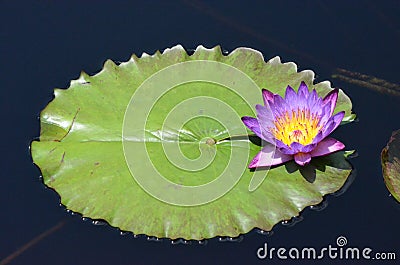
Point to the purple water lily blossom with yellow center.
(295, 127)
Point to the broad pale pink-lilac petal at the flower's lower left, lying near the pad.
(268, 156)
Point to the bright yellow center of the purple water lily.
(299, 126)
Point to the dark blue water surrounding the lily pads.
(44, 45)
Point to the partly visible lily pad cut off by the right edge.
(390, 158)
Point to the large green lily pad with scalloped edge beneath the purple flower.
(156, 145)
